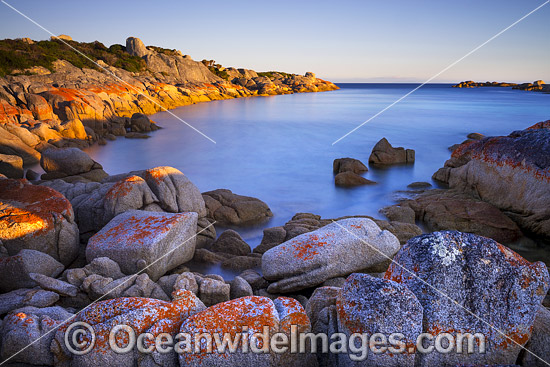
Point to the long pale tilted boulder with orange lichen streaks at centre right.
(338, 249)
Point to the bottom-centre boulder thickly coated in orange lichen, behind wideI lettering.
(240, 319)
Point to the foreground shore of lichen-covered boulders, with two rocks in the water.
(80, 245)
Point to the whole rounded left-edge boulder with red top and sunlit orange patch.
(37, 218)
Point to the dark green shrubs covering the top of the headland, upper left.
(17, 54)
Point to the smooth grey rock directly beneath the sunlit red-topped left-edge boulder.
(15, 269)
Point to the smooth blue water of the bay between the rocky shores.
(280, 150)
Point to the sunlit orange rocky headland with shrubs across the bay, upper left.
(64, 104)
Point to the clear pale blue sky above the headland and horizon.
(386, 41)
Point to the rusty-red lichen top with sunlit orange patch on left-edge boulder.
(27, 209)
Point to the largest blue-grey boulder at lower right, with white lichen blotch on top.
(466, 283)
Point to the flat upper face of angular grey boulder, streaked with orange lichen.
(135, 230)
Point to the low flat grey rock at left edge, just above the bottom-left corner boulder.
(26, 297)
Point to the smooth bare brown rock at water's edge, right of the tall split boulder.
(228, 208)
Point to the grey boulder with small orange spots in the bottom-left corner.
(27, 334)
